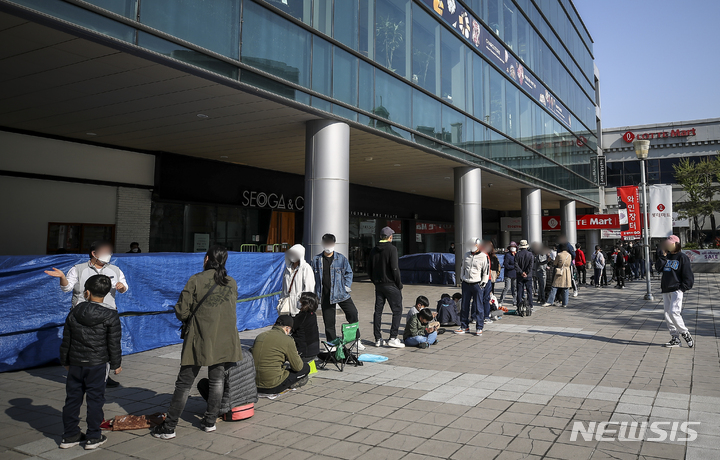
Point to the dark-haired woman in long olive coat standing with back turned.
(207, 309)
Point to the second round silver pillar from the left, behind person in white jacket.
(468, 211)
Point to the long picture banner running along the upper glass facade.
(460, 19)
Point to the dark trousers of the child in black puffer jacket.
(87, 382)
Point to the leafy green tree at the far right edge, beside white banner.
(699, 182)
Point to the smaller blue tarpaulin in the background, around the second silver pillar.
(432, 268)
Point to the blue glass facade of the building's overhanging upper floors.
(398, 66)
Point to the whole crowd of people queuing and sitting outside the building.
(282, 358)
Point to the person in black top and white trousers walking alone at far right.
(677, 278)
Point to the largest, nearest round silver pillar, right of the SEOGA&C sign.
(327, 185)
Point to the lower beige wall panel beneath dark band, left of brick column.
(33, 203)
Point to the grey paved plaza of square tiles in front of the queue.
(516, 392)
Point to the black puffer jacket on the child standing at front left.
(91, 336)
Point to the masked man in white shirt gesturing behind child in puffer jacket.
(99, 264)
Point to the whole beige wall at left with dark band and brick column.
(46, 180)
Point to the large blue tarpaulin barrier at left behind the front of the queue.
(33, 307)
